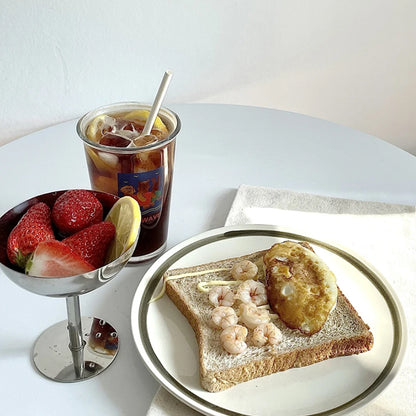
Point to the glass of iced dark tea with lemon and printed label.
(122, 162)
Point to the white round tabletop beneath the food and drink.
(219, 148)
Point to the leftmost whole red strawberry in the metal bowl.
(35, 226)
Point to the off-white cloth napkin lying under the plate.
(383, 234)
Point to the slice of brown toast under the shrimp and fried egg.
(344, 333)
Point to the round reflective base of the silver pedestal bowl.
(54, 359)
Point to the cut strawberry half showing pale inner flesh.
(55, 259)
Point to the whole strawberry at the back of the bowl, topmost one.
(75, 210)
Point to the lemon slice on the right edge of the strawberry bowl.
(125, 215)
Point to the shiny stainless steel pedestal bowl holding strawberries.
(79, 347)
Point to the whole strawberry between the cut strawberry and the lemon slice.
(92, 242)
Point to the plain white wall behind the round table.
(348, 61)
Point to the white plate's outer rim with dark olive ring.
(151, 279)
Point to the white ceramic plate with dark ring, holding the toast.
(337, 386)
